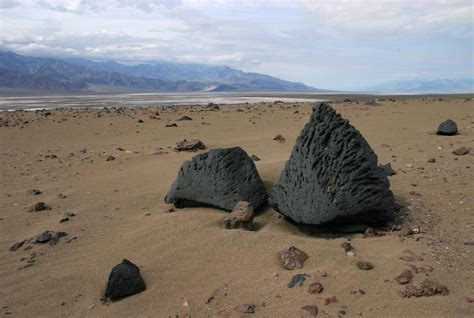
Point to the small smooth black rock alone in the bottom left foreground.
(124, 280)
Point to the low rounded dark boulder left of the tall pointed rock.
(219, 178)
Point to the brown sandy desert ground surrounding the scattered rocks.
(187, 256)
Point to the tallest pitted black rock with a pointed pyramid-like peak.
(332, 175)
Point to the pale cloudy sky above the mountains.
(337, 44)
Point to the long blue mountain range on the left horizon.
(74, 74)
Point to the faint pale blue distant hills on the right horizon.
(447, 85)
